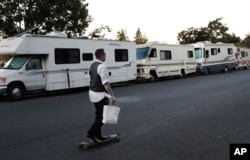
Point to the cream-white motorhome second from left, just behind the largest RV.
(156, 60)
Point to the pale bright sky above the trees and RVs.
(162, 20)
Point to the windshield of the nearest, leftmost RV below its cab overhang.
(16, 62)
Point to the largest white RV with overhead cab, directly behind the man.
(55, 63)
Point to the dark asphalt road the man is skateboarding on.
(194, 118)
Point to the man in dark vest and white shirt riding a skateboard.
(99, 92)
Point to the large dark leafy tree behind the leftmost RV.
(70, 16)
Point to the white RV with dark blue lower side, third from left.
(213, 57)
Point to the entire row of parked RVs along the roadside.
(46, 63)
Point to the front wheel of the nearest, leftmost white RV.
(15, 92)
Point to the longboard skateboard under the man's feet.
(89, 143)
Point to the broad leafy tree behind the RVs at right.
(214, 32)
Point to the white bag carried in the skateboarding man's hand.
(110, 114)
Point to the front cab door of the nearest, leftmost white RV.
(35, 75)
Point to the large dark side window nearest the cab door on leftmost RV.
(67, 56)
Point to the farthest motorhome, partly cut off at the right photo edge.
(243, 58)
